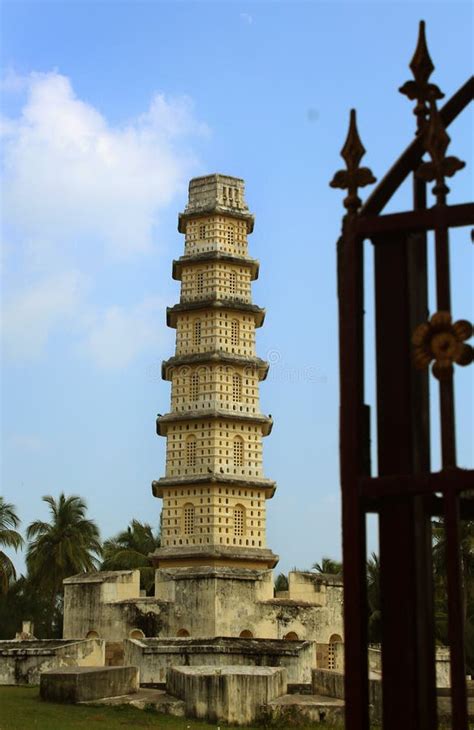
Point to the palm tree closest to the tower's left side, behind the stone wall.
(130, 550)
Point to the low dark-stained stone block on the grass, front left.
(82, 684)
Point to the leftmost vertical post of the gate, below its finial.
(350, 266)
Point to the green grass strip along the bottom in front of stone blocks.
(22, 709)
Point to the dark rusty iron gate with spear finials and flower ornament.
(406, 493)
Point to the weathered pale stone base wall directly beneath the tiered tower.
(200, 603)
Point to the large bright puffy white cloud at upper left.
(68, 173)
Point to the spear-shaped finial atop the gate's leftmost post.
(355, 176)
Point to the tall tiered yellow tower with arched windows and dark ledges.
(214, 492)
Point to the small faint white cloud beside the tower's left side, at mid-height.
(118, 335)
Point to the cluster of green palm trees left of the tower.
(67, 544)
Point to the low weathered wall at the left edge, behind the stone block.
(21, 662)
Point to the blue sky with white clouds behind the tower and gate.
(108, 108)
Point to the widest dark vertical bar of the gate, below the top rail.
(402, 546)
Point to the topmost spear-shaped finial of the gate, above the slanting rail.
(420, 89)
